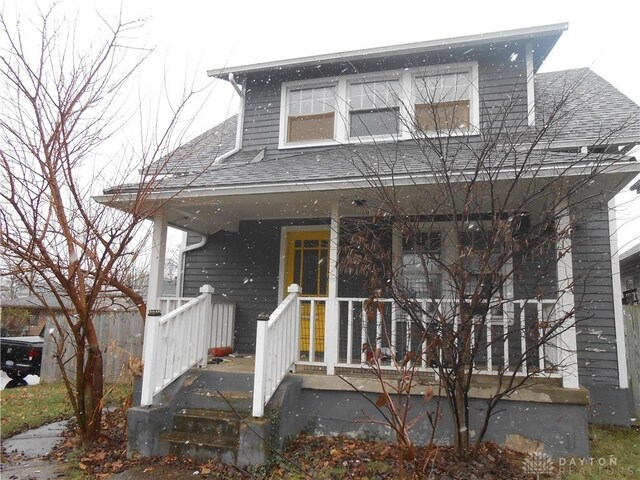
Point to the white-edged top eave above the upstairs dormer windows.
(404, 49)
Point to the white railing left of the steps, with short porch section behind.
(180, 339)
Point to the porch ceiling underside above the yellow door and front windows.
(207, 214)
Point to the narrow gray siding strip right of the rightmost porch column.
(596, 333)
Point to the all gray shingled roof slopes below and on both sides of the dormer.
(594, 112)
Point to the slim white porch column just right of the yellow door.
(332, 310)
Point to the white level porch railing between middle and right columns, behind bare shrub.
(508, 335)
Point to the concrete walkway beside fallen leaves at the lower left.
(29, 447)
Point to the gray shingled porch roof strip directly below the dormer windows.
(360, 161)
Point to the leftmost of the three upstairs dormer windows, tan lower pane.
(311, 114)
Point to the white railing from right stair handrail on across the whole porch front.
(507, 341)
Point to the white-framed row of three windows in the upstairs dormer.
(438, 100)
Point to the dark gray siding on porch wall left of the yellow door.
(243, 267)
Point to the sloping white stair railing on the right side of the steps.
(277, 340)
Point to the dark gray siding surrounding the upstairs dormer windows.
(502, 84)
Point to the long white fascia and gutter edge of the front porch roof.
(121, 200)
